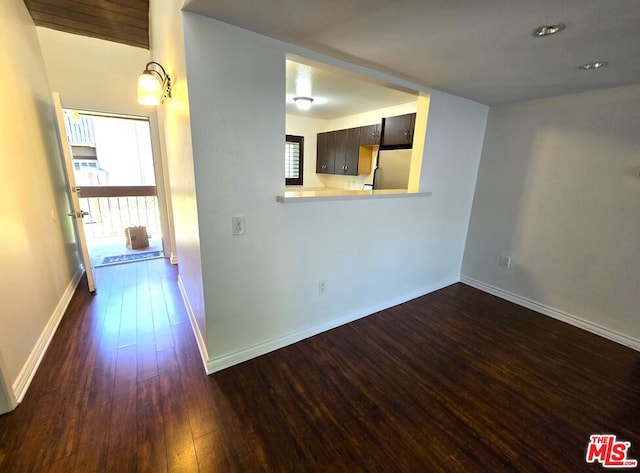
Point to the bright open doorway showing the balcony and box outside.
(115, 176)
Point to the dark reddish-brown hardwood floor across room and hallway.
(457, 380)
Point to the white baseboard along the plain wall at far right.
(555, 313)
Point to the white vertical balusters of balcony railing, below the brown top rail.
(109, 216)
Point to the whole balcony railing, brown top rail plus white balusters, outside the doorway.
(111, 210)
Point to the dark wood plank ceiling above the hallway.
(121, 21)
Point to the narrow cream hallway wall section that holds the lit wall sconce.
(167, 45)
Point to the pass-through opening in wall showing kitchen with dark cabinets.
(359, 132)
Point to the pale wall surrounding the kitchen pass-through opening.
(261, 288)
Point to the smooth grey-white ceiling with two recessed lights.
(481, 50)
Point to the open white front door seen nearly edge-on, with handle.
(76, 212)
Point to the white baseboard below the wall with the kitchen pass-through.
(230, 359)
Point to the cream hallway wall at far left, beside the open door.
(39, 258)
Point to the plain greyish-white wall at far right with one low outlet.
(558, 192)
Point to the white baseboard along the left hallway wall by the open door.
(30, 367)
